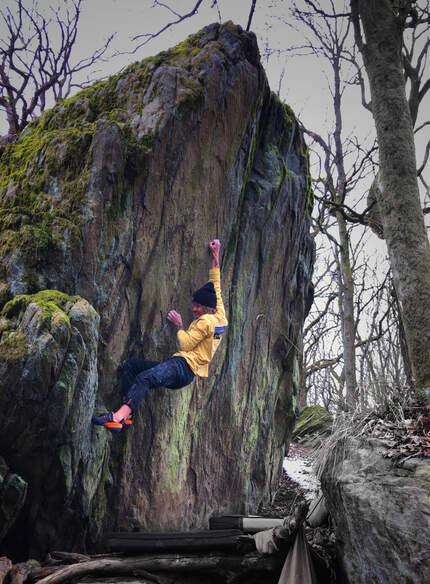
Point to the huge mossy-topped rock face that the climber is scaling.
(113, 195)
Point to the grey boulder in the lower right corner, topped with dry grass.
(380, 509)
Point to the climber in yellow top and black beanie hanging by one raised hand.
(197, 346)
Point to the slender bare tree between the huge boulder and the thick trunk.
(327, 35)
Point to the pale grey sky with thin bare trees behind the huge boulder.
(355, 350)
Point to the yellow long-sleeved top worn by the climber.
(199, 343)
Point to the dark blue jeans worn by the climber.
(139, 376)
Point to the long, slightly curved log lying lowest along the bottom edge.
(220, 563)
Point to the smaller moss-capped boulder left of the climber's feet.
(48, 387)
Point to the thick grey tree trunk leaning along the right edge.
(398, 200)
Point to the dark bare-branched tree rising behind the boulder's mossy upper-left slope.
(36, 59)
